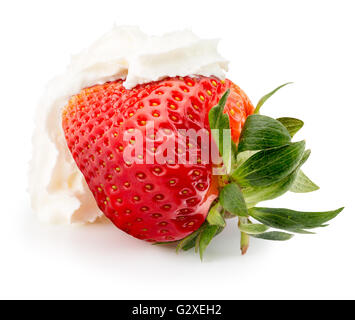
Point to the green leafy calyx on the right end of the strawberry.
(265, 165)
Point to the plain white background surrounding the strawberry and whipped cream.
(268, 43)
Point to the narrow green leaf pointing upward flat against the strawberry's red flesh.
(220, 129)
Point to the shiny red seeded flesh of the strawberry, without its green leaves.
(153, 202)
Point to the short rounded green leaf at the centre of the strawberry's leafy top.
(231, 198)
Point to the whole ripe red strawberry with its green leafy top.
(184, 202)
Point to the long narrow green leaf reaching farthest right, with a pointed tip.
(290, 220)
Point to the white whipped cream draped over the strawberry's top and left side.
(59, 193)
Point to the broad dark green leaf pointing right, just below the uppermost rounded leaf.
(269, 166)
